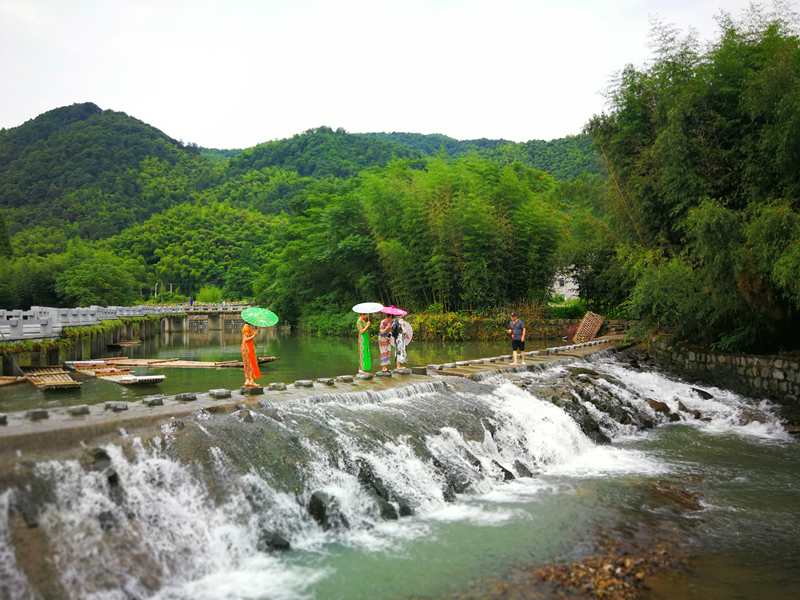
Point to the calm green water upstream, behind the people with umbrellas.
(301, 357)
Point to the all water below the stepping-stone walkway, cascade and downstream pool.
(495, 478)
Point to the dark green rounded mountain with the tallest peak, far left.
(98, 170)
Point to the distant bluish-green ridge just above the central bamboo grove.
(564, 158)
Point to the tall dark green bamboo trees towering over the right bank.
(703, 146)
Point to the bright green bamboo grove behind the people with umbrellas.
(465, 234)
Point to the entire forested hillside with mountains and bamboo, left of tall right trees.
(308, 224)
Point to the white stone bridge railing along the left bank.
(41, 322)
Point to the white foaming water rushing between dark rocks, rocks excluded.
(156, 529)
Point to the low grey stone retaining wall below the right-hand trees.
(749, 375)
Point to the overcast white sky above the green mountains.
(235, 73)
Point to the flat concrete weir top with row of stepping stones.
(63, 429)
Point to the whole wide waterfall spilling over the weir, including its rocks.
(201, 510)
